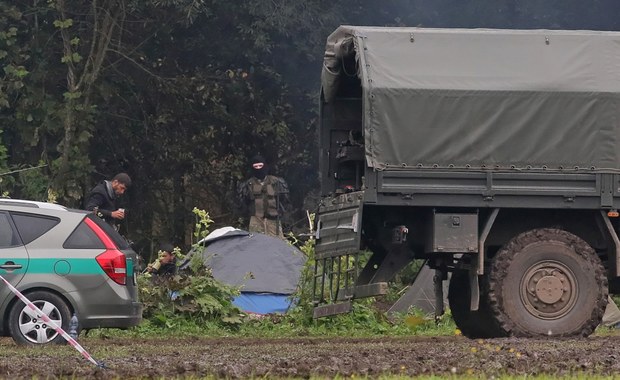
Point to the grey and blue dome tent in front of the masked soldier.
(267, 269)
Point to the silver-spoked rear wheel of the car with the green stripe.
(26, 327)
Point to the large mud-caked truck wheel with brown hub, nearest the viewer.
(547, 282)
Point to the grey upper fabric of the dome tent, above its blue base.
(258, 263)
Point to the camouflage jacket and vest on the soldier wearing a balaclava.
(265, 199)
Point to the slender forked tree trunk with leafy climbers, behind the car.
(86, 35)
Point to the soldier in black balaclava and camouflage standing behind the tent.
(264, 198)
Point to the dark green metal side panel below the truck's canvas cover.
(553, 189)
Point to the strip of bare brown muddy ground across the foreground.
(305, 357)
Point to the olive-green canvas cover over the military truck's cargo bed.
(483, 98)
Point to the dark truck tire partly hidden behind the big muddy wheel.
(473, 324)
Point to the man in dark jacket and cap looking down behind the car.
(102, 199)
